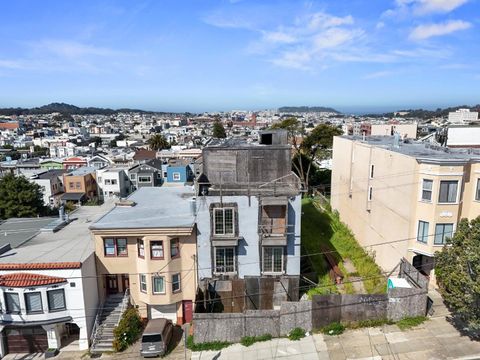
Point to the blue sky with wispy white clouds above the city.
(205, 55)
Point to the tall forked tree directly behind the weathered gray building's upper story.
(309, 148)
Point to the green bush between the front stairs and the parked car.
(128, 329)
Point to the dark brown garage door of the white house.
(26, 340)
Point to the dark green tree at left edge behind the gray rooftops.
(20, 197)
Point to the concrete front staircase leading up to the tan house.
(107, 319)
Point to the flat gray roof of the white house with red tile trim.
(73, 243)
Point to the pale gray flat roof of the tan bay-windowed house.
(156, 207)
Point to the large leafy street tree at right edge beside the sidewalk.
(457, 268)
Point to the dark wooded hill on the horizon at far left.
(65, 109)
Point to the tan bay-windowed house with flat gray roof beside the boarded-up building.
(148, 245)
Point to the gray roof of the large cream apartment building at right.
(421, 151)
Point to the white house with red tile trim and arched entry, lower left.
(48, 283)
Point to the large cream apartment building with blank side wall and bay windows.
(403, 199)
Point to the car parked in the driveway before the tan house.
(156, 337)
